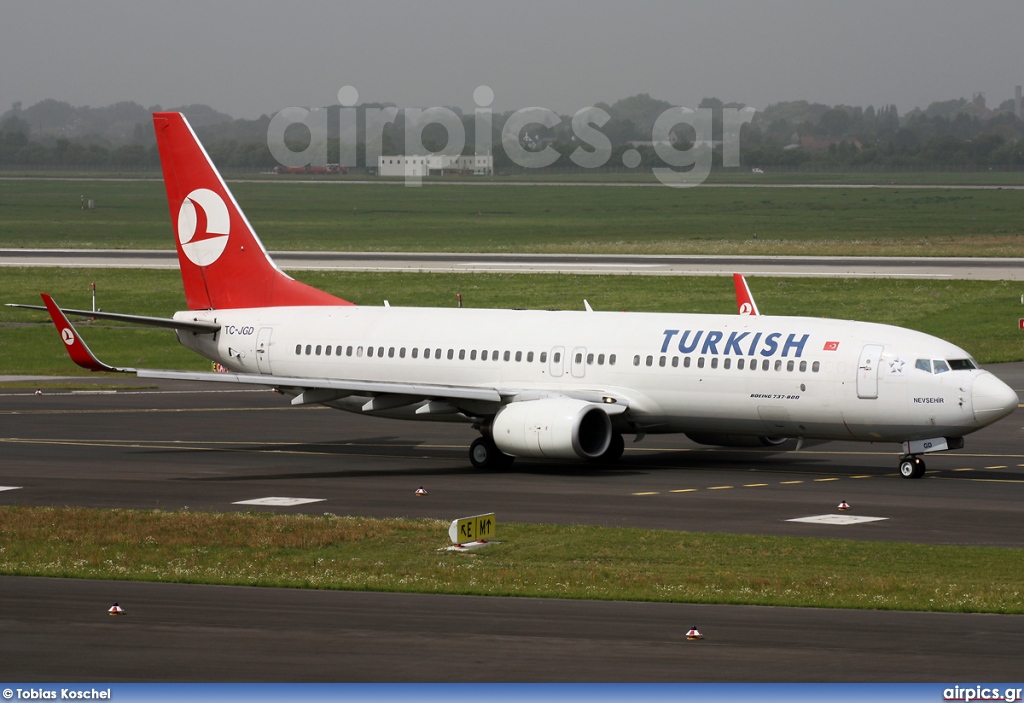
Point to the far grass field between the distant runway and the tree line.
(346, 216)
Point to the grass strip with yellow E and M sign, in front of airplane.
(539, 561)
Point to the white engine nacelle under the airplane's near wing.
(552, 428)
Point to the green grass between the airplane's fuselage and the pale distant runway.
(982, 317)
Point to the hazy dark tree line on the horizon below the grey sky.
(962, 135)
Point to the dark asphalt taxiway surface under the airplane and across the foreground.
(183, 446)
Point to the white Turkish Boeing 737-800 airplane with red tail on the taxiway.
(554, 385)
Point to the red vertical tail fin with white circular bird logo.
(224, 263)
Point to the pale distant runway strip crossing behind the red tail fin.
(875, 268)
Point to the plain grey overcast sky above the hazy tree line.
(253, 58)
